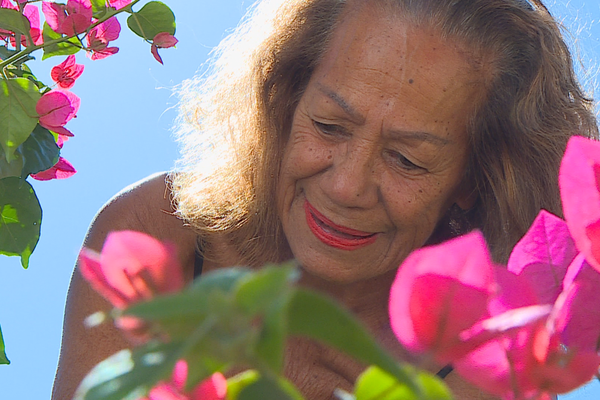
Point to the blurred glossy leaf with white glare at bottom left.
(127, 374)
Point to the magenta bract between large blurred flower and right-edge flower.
(543, 255)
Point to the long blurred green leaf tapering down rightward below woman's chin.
(319, 317)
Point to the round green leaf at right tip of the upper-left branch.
(155, 17)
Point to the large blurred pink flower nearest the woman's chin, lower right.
(439, 292)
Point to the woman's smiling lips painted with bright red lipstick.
(335, 235)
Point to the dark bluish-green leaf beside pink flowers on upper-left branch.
(40, 151)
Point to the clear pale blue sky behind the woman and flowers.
(122, 134)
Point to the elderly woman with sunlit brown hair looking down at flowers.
(346, 134)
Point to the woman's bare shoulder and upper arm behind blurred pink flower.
(144, 206)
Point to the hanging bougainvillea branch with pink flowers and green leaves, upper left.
(34, 115)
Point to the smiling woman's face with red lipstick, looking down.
(377, 149)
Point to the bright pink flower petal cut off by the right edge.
(579, 181)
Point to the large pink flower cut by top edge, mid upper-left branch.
(70, 19)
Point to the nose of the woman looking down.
(351, 181)
